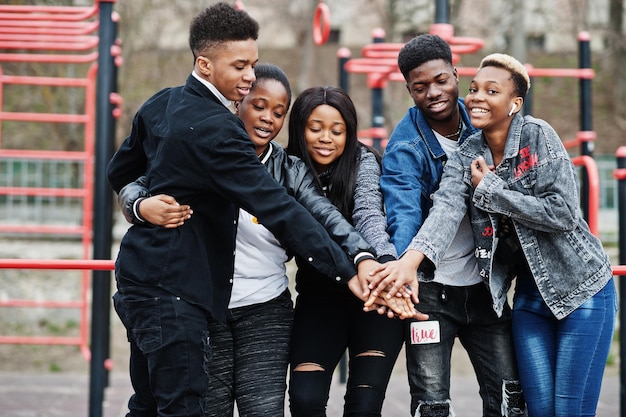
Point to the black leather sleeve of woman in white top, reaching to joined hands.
(307, 193)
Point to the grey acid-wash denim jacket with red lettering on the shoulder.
(536, 187)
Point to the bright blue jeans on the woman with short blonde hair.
(561, 362)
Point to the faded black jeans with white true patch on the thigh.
(466, 313)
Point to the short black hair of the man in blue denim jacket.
(421, 49)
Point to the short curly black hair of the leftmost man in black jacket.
(218, 24)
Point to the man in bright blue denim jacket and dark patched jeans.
(455, 298)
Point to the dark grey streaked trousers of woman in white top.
(250, 354)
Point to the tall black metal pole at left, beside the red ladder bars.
(103, 208)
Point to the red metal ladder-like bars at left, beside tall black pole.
(54, 35)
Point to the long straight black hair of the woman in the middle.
(342, 177)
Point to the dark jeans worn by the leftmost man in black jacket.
(168, 352)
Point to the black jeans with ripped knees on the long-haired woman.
(324, 327)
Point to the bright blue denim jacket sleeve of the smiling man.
(402, 188)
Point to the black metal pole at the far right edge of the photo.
(621, 209)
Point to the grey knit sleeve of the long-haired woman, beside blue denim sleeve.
(368, 215)
